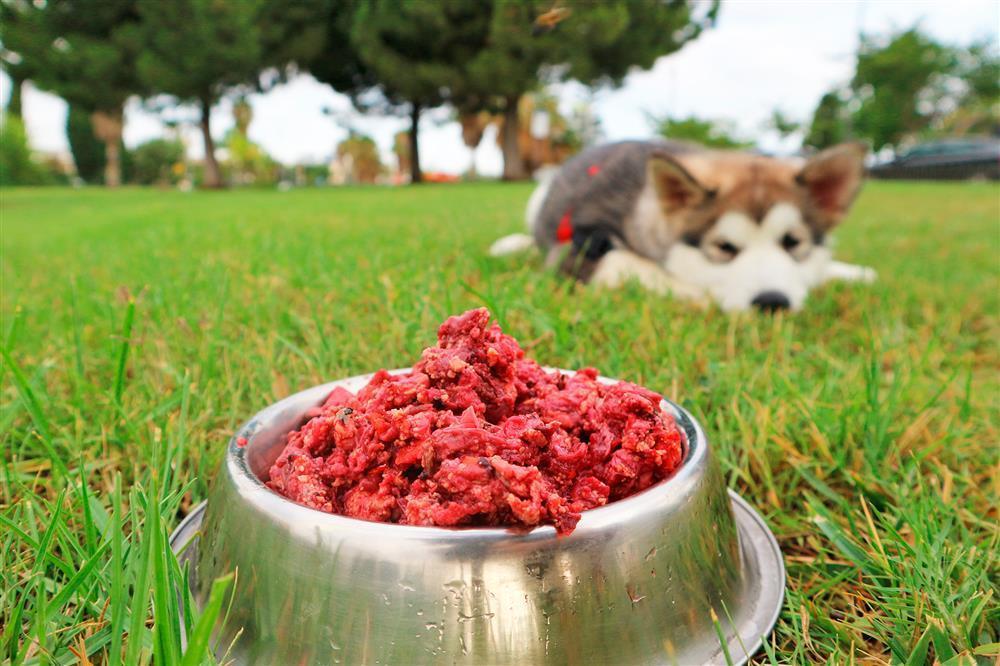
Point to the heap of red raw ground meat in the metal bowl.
(476, 434)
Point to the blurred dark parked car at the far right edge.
(951, 159)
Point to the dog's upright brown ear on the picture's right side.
(832, 179)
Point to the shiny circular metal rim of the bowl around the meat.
(252, 488)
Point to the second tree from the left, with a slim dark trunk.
(195, 50)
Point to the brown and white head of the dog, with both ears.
(752, 231)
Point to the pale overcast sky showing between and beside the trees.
(761, 55)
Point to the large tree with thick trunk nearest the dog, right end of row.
(594, 43)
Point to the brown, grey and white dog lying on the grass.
(740, 229)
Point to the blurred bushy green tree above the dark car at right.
(897, 85)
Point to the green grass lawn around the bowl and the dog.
(140, 328)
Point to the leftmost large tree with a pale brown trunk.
(85, 52)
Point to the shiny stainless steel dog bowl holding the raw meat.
(684, 572)
